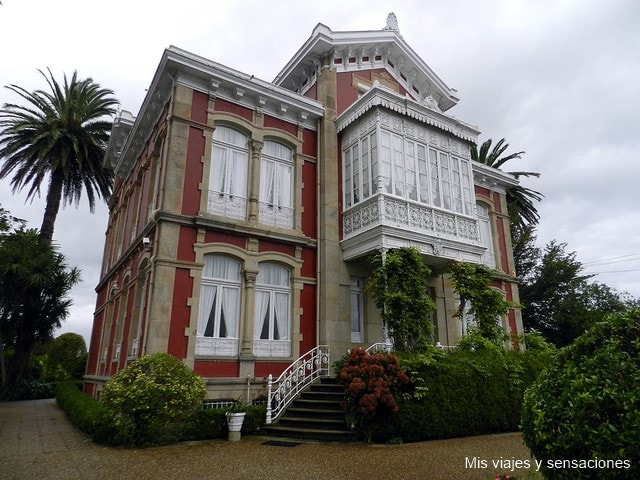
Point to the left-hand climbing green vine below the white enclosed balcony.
(399, 287)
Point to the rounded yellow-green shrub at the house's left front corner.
(150, 400)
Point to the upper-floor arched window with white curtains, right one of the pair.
(276, 185)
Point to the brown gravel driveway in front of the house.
(38, 442)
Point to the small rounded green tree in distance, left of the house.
(66, 357)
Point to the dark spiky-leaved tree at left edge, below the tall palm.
(34, 283)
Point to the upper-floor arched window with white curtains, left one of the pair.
(228, 174)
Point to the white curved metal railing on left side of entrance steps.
(309, 367)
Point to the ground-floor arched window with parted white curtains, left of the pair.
(219, 314)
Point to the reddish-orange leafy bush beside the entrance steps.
(371, 385)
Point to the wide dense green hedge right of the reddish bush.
(462, 393)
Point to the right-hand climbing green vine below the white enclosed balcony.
(472, 283)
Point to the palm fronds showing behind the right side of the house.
(519, 199)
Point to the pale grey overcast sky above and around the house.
(558, 79)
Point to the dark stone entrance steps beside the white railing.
(315, 415)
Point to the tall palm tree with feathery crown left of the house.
(61, 133)
